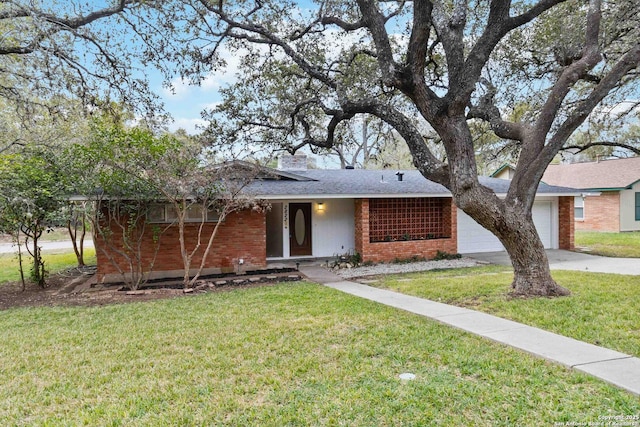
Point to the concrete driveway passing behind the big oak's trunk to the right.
(566, 260)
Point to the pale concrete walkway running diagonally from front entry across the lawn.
(614, 367)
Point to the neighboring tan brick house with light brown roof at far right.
(611, 192)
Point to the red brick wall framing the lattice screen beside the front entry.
(388, 251)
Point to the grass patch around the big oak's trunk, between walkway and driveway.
(603, 308)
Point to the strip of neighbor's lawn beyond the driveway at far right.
(624, 245)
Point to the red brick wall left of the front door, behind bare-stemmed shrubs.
(242, 235)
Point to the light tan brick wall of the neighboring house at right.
(601, 213)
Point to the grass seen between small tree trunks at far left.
(54, 262)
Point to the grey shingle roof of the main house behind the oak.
(346, 183)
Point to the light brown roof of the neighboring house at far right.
(616, 174)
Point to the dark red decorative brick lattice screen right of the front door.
(409, 219)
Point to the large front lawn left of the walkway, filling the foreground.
(291, 354)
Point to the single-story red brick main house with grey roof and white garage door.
(380, 214)
